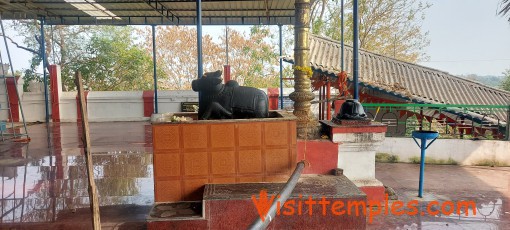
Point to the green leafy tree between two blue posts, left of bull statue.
(114, 62)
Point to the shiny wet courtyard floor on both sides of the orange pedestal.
(43, 183)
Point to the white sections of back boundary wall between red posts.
(110, 105)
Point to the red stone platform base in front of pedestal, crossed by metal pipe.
(317, 202)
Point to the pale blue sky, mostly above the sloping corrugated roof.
(466, 37)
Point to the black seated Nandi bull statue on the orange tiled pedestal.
(227, 101)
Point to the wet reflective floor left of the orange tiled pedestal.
(40, 184)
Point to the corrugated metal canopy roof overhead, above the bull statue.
(160, 12)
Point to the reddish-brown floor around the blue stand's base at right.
(488, 187)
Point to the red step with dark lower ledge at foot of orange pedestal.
(230, 206)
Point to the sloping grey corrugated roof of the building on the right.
(406, 79)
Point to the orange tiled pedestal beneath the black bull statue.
(189, 155)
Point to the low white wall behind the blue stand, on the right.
(465, 152)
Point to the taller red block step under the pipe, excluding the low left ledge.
(228, 205)
